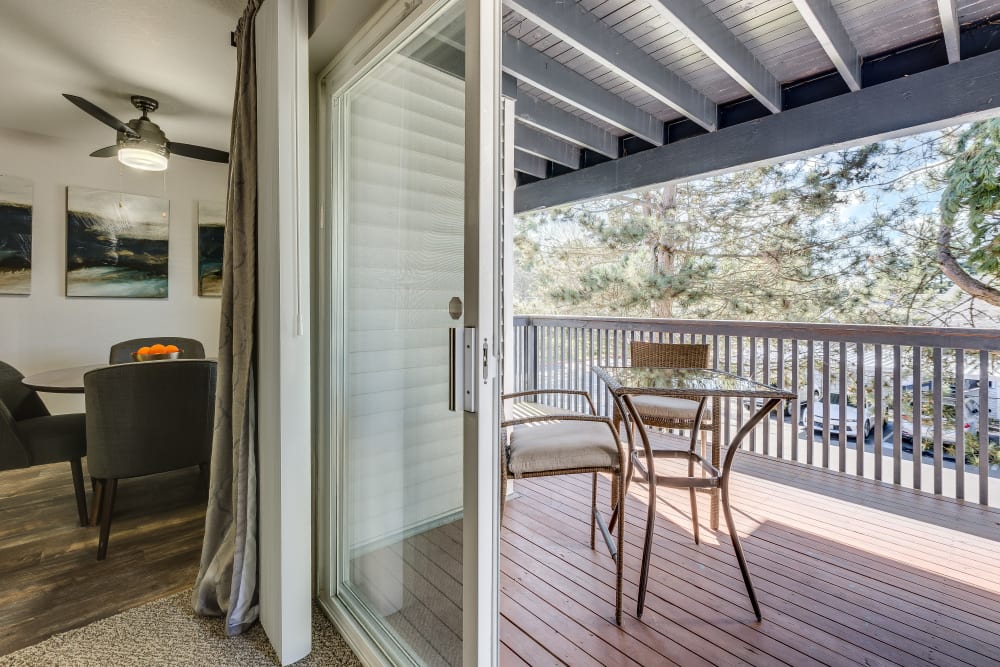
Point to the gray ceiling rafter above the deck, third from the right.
(698, 23)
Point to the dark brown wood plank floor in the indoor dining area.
(50, 580)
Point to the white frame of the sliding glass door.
(380, 36)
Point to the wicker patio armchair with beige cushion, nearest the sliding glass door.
(565, 443)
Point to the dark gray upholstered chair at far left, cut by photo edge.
(30, 436)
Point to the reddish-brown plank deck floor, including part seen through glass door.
(847, 571)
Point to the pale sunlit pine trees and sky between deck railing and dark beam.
(849, 236)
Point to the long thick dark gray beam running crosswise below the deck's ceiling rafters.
(935, 98)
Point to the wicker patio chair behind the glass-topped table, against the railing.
(679, 413)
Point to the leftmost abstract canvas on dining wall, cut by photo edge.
(15, 235)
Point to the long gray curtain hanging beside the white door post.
(227, 580)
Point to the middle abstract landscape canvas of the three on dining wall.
(116, 244)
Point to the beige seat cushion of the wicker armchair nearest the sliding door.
(562, 445)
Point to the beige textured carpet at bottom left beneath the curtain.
(168, 632)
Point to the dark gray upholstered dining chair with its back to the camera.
(145, 418)
